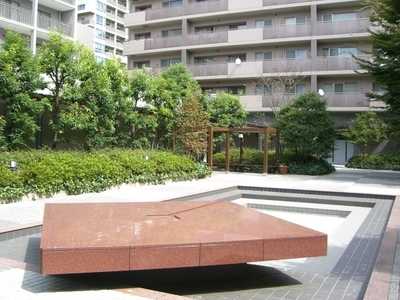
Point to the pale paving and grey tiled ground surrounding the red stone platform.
(343, 277)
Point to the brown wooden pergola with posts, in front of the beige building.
(228, 131)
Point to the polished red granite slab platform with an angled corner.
(106, 237)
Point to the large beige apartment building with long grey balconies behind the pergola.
(230, 44)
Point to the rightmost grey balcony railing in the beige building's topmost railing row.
(343, 27)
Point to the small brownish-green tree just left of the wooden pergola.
(193, 126)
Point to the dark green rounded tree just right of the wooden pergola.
(307, 127)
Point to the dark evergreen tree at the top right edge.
(385, 63)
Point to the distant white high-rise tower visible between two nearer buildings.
(105, 31)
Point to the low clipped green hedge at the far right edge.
(375, 162)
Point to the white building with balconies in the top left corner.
(35, 18)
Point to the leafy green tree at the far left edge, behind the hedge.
(19, 81)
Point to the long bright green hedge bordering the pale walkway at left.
(44, 173)
